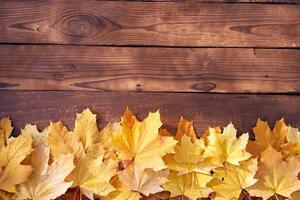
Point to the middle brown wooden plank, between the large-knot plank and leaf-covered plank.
(225, 70)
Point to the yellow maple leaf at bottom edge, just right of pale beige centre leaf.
(191, 185)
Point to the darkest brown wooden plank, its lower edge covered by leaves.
(205, 109)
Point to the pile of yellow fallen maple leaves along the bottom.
(133, 160)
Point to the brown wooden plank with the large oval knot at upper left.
(150, 23)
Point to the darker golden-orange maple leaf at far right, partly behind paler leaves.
(264, 137)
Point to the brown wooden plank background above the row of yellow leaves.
(212, 61)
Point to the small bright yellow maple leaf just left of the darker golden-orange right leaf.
(225, 147)
